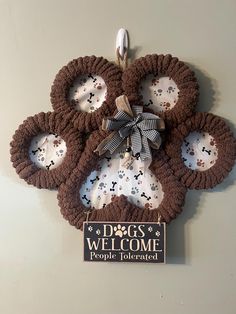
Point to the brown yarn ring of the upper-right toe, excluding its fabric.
(169, 66)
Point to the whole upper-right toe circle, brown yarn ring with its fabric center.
(164, 84)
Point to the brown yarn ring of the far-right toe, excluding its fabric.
(225, 143)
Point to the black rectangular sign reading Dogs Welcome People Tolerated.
(124, 242)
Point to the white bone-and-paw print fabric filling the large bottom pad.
(112, 178)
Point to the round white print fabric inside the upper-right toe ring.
(160, 93)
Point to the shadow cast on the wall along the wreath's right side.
(177, 231)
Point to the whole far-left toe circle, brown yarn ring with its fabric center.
(45, 149)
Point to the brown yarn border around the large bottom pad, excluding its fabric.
(120, 209)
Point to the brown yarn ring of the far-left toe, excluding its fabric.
(50, 122)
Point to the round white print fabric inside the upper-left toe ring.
(88, 92)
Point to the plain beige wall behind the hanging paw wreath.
(41, 268)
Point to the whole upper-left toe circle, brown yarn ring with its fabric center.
(86, 88)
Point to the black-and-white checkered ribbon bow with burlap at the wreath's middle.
(142, 128)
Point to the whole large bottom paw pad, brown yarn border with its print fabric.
(94, 185)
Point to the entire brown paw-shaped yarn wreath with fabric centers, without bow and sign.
(59, 149)
